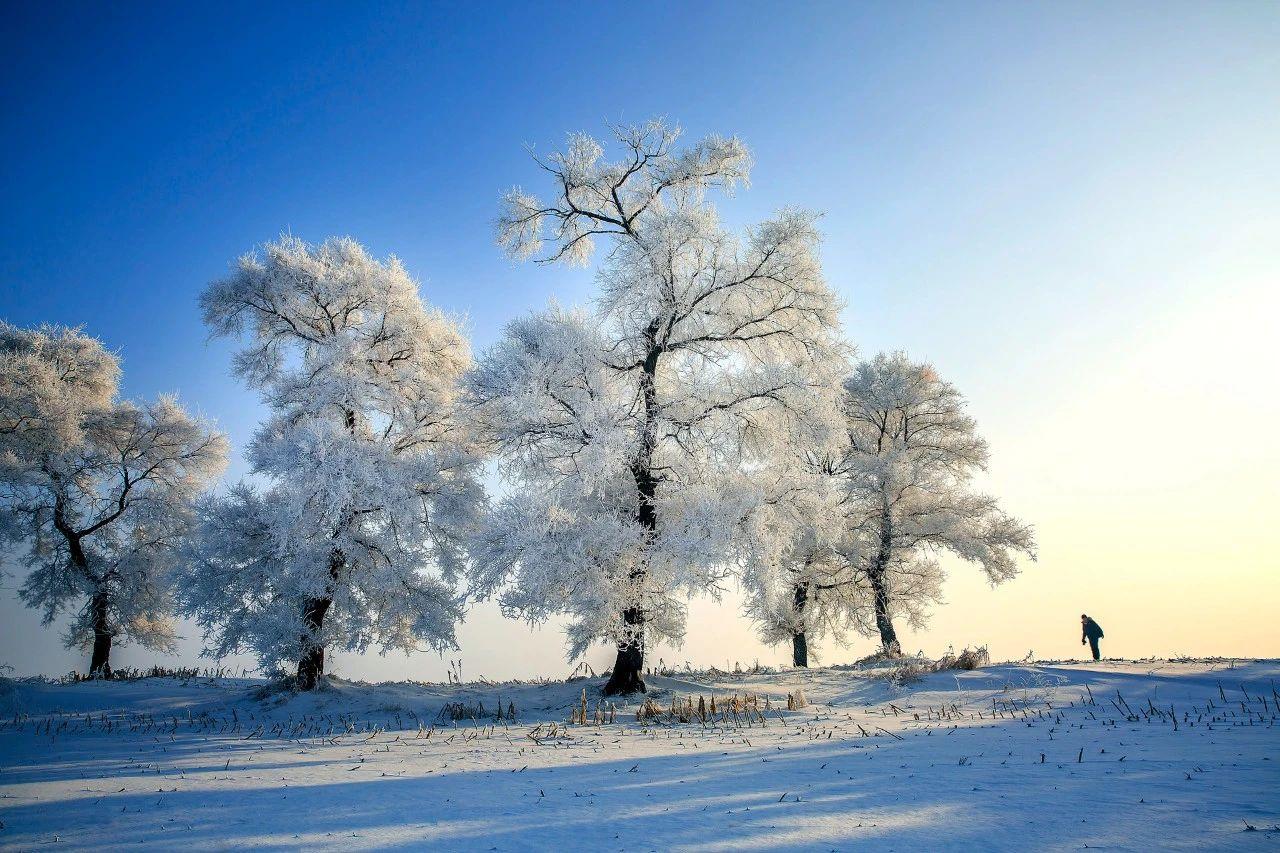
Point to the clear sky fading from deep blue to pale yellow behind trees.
(1072, 209)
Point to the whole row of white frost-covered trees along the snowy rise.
(705, 422)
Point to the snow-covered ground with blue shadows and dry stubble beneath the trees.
(1013, 756)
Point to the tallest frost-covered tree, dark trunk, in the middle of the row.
(627, 431)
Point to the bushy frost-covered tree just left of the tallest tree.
(369, 490)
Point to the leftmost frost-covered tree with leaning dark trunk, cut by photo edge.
(97, 491)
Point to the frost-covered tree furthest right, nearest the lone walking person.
(907, 471)
